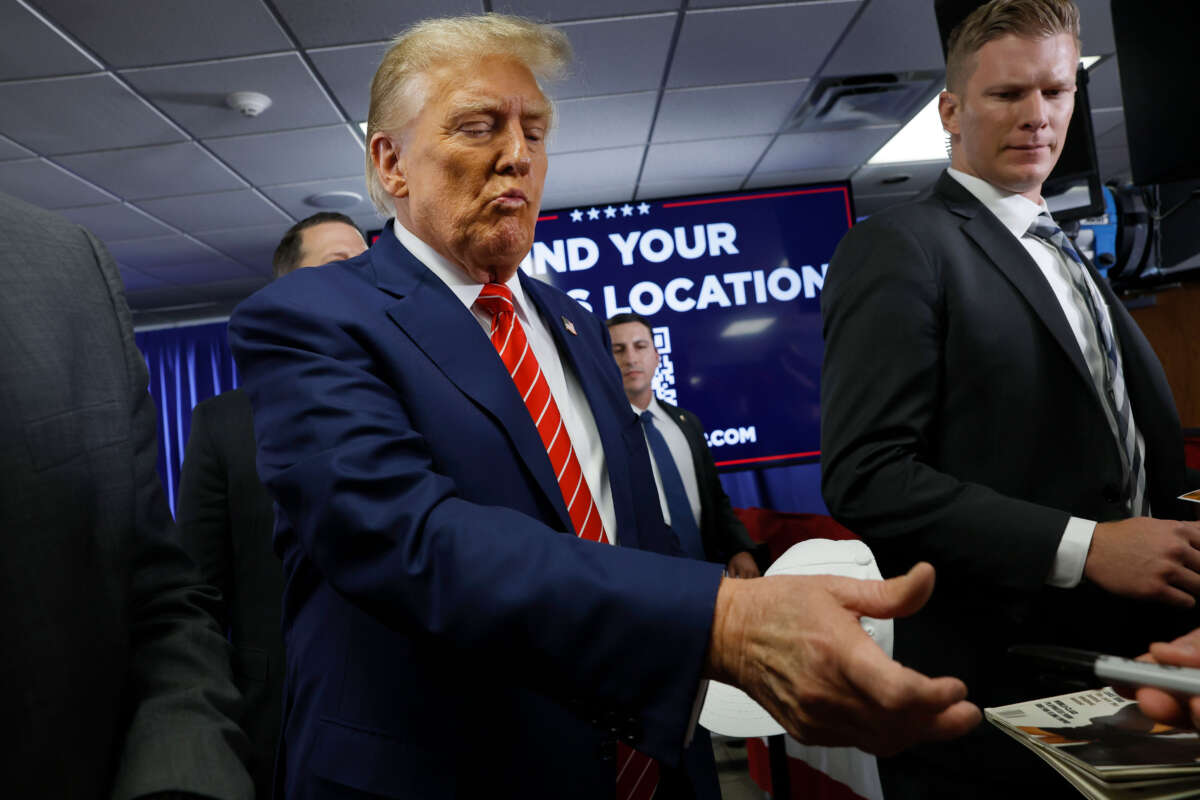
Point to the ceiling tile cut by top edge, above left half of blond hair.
(317, 25)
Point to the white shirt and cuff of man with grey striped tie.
(1017, 213)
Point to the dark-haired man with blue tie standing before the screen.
(723, 538)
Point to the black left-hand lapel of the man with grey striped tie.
(1006, 255)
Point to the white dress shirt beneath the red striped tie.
(565, 386)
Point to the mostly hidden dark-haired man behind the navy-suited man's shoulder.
(226, 516)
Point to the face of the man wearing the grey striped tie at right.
(1010, 122)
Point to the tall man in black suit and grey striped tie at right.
(991, 407)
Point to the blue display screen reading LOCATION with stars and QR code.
(731, 285)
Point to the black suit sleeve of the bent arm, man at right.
(881, 399)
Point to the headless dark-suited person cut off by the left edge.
(115, 679)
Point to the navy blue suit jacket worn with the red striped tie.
(446, 637)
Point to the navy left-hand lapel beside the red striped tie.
(446, 330)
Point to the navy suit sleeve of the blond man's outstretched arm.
(356, 482)
